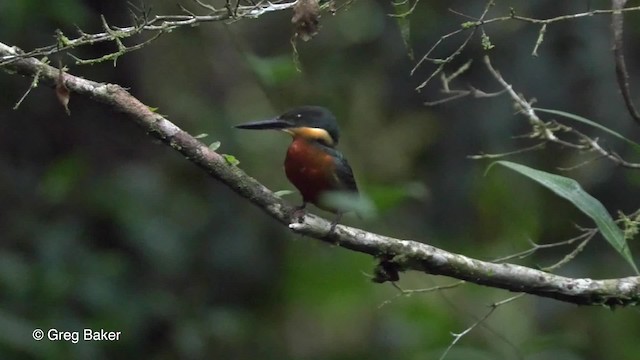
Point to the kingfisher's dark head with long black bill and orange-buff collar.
(309, 122)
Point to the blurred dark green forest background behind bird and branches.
(103, 227)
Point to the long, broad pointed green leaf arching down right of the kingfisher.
(571, 190)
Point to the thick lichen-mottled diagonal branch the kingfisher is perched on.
(394, 254)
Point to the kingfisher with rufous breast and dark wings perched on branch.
(312, 164)
